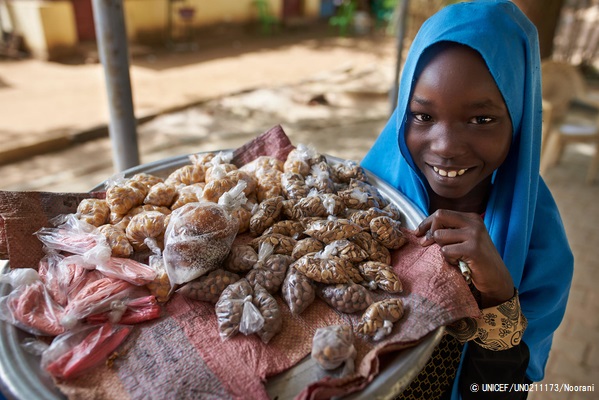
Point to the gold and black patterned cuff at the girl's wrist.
(498, 328)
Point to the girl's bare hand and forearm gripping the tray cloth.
(463, 236)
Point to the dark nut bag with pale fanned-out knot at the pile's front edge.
(235, 311)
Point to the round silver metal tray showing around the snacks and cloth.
(22, 378)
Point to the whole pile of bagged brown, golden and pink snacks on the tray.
(236, 237)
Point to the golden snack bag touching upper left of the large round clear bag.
(146, 225)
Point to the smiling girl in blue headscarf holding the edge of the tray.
(464, 146)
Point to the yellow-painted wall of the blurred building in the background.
(49, 28)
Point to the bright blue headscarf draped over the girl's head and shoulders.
(521, 215)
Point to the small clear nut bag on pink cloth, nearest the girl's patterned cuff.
(378, 319)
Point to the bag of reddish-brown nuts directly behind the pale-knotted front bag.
(270, 270)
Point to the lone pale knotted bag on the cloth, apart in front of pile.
(334, 345)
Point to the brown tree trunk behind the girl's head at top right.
(545, 15)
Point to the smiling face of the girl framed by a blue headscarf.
(458, 129)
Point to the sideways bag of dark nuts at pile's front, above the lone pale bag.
(346, 298)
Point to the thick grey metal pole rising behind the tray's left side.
(112, 48)
